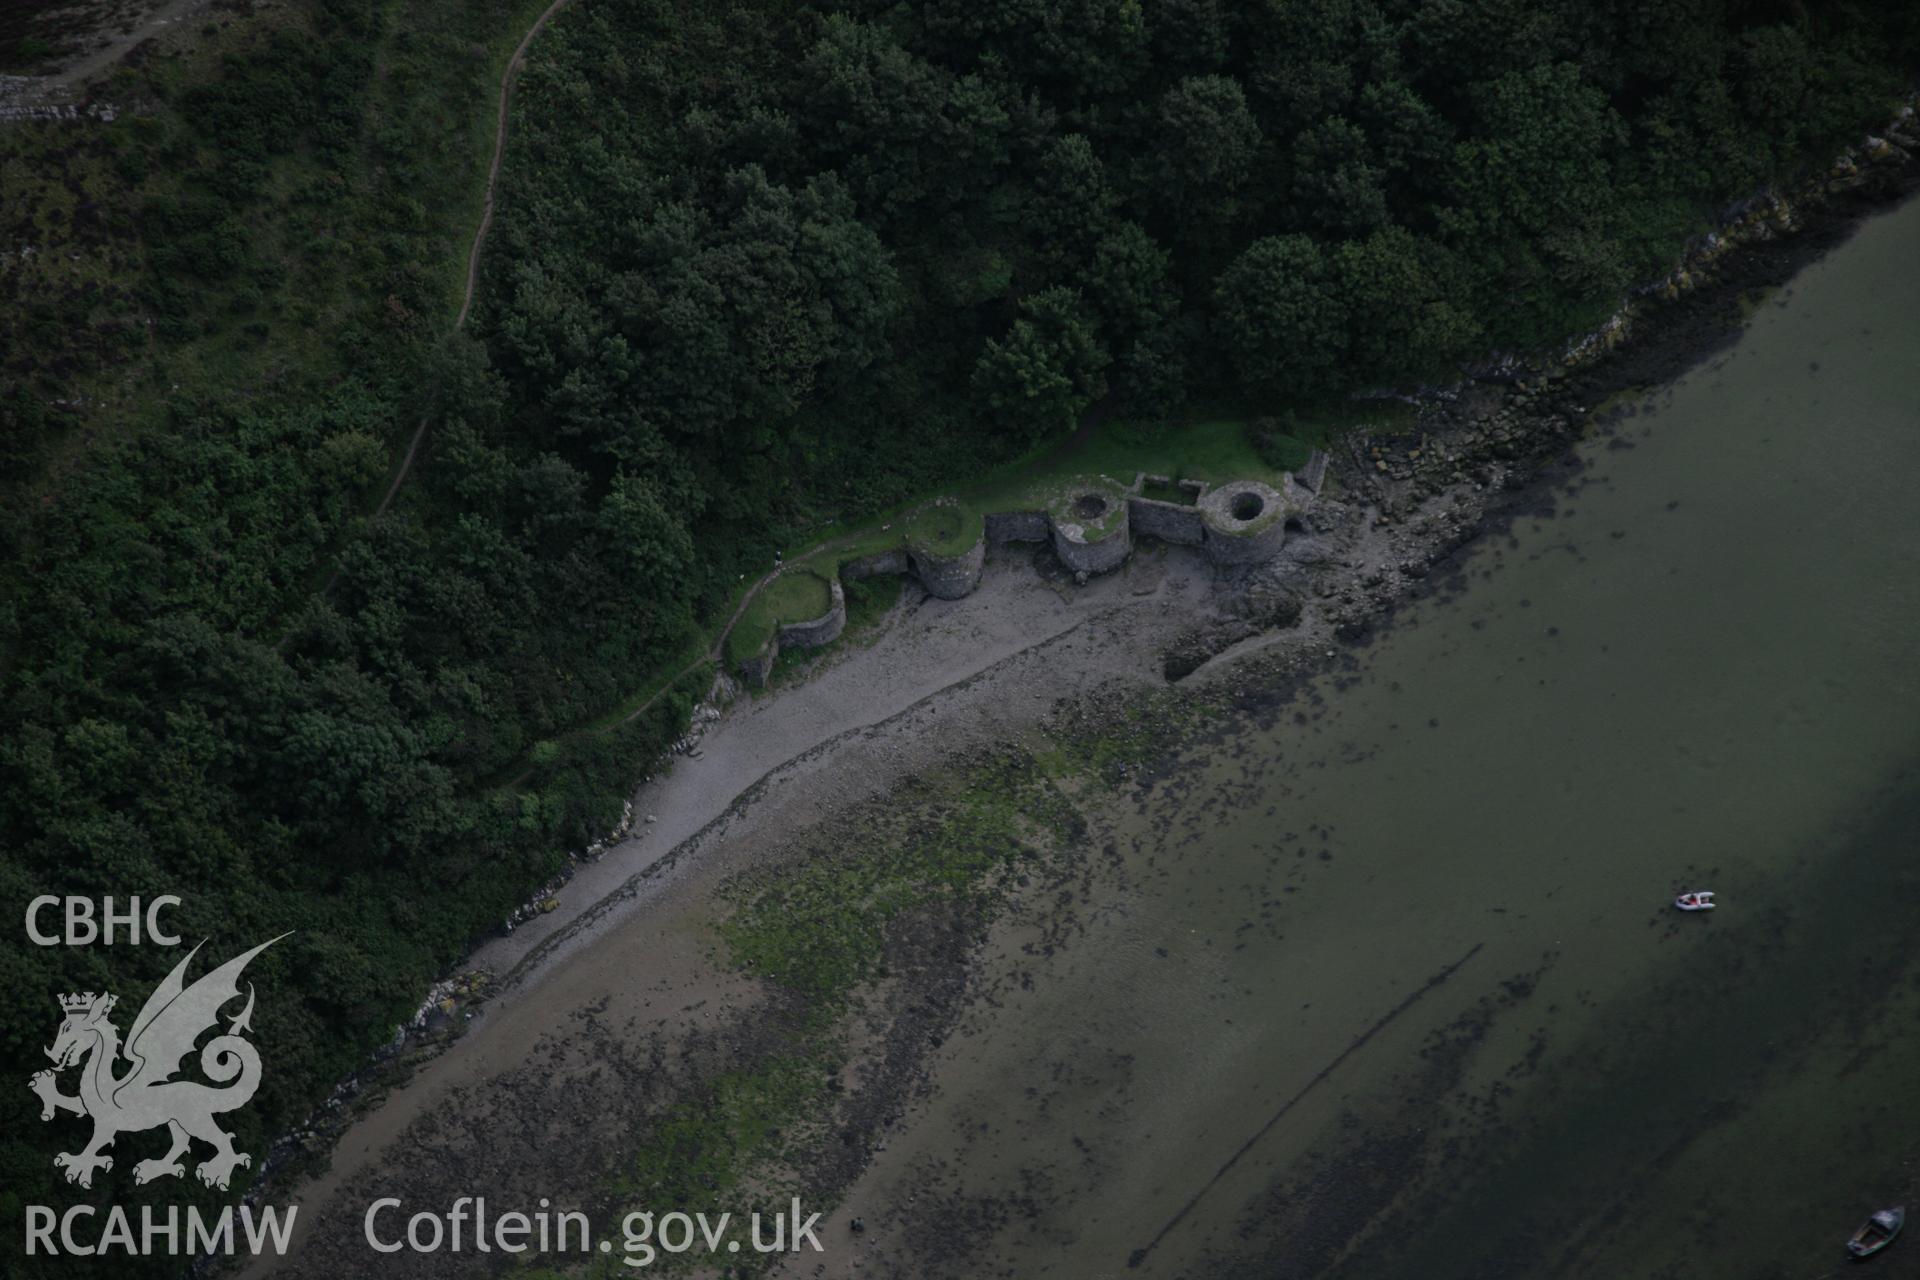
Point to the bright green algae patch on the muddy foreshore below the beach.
(819, 926)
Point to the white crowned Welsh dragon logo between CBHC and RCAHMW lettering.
(147, 1095)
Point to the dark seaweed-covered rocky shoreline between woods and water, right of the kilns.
(1499, 444)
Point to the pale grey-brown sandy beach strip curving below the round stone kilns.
(942, 680)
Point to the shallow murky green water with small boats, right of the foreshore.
(1696, 673)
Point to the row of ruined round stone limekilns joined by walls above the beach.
(1092, 525)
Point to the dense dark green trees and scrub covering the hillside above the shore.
(757, 270)
